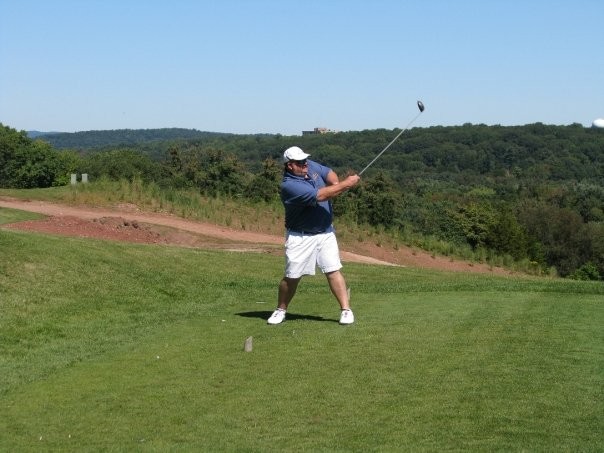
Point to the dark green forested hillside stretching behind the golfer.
(531, 193)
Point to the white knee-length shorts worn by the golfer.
(303, 253)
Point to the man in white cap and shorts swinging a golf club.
(306, 192)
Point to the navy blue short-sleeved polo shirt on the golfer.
(303, 213)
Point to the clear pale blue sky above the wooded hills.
(283, 66)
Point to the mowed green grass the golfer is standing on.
(117, 347)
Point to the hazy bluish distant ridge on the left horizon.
(119, 137)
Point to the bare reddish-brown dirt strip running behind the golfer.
(128, 223)
